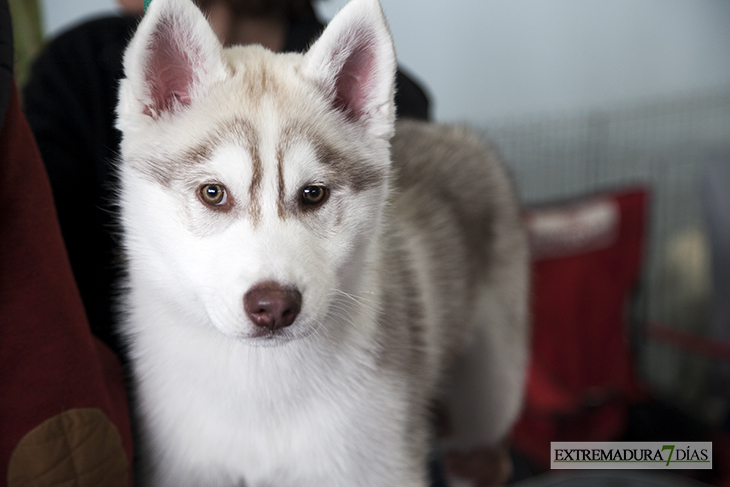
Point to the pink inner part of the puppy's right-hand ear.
(356, 79)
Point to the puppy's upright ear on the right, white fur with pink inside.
(354, 61)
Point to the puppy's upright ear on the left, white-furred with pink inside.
(171, 59)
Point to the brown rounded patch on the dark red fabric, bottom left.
(79, 447)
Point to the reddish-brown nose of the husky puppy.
(269, 305)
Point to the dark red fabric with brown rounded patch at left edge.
(63, 413)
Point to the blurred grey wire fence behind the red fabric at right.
(663, 145)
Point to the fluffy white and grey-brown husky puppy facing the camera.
(293, 297)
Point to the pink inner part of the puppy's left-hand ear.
(169, 72)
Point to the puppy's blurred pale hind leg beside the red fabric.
(487, 381)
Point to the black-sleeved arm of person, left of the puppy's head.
(69, 101)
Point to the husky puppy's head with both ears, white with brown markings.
(269, 168)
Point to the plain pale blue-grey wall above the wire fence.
(491, 59)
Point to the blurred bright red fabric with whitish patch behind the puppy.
(587, 259)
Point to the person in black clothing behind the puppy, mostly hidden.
(70, 103)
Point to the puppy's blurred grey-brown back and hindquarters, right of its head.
(457, 217)
